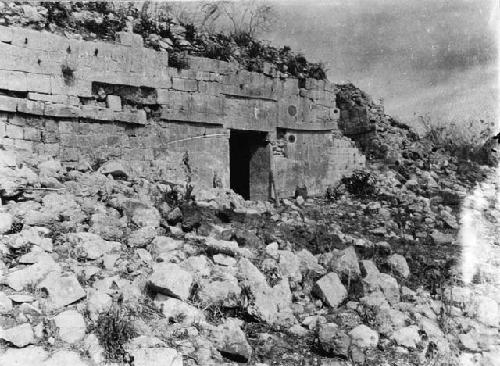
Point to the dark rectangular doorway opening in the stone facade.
(250, 164)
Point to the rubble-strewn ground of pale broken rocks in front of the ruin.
(100, 267)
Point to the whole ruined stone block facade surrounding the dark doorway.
(212, 122)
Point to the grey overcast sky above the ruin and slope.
(436, 57)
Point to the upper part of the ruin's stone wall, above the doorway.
(37, 62)
